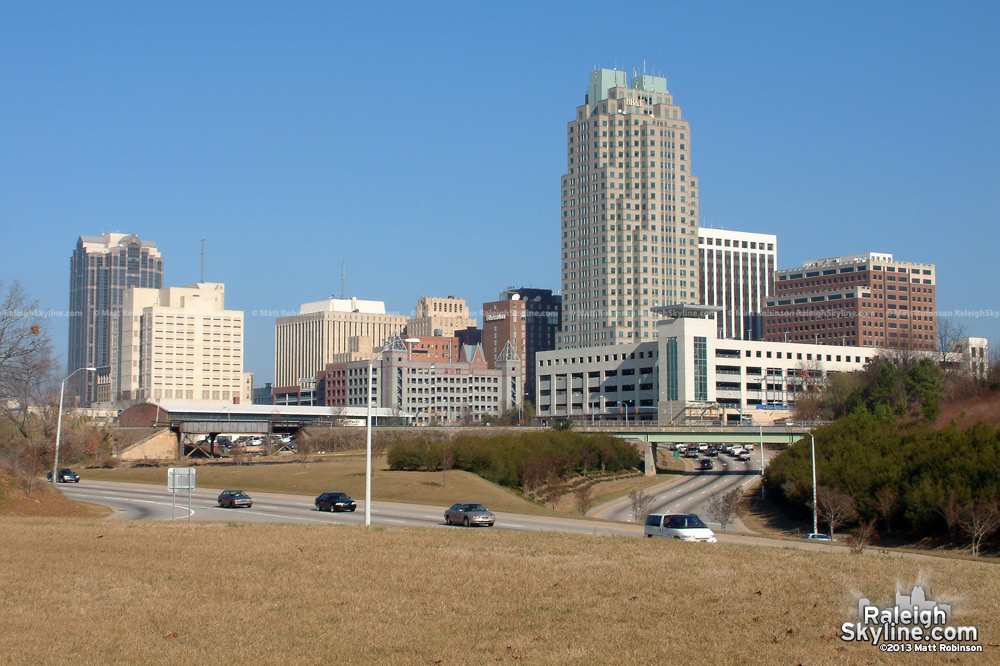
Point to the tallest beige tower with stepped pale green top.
(629, 212)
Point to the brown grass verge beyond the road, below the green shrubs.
(346, 473)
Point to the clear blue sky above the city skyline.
(422, 143)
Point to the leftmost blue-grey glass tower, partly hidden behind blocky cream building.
(100, 270)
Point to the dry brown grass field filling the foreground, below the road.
(104, 591)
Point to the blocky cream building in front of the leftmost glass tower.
(179, 343)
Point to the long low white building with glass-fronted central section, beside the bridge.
(689, 373)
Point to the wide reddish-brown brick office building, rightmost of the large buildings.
(865, 300)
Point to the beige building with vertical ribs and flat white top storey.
(325, 331)
